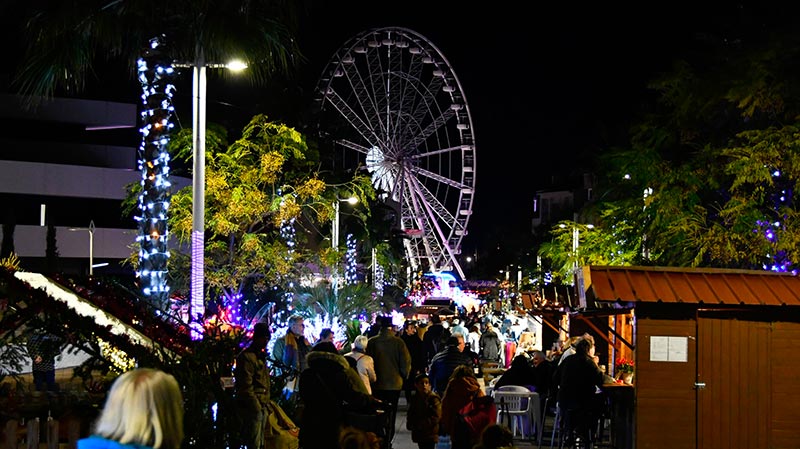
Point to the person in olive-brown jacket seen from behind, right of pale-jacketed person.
(392, 365)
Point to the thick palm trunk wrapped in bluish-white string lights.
(155, 73)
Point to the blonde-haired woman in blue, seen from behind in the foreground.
(144, 409)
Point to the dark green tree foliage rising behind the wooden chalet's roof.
(708, 175)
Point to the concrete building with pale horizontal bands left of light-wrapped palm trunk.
(67, 163)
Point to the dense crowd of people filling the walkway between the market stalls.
(435, 364)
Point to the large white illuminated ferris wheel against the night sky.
(394, 107)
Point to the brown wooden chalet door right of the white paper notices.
(733, 383)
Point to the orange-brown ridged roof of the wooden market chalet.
(691, 286)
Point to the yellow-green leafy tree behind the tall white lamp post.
(264, 179)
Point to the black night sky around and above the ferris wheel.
(548, 87)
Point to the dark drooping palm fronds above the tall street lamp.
(66, 39)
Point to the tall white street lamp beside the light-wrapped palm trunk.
(197, 303)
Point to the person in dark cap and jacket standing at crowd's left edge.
(252, 387)
